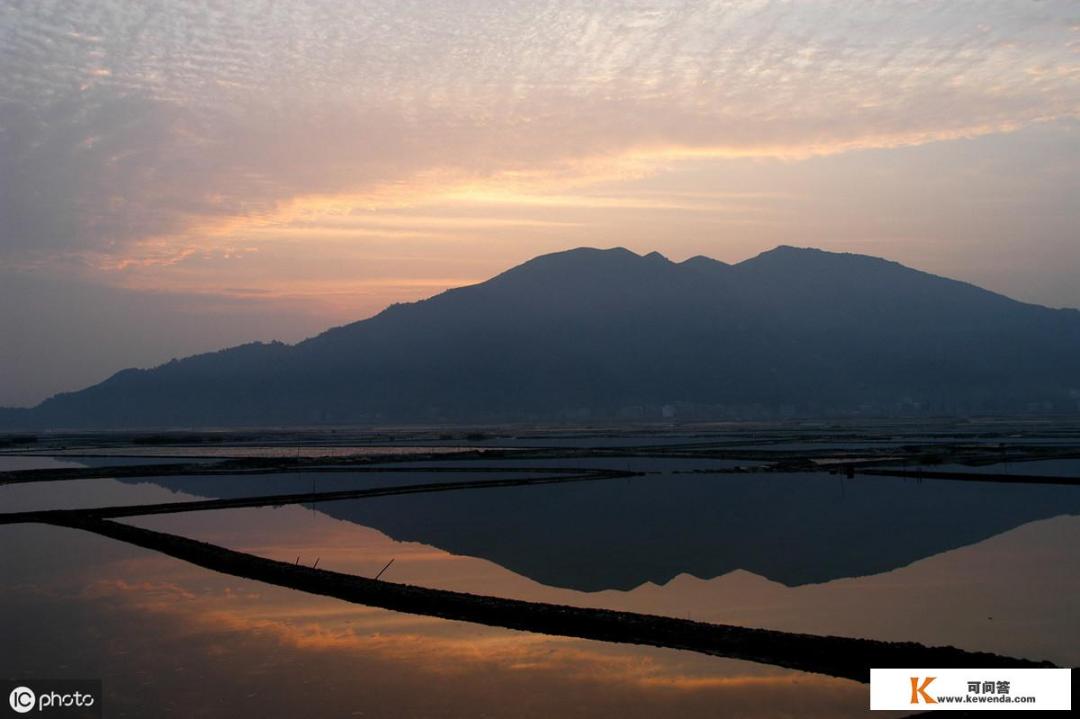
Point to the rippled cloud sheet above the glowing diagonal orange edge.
(134, 131)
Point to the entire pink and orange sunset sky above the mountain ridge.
(177, 178)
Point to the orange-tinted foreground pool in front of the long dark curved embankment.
(171, 639)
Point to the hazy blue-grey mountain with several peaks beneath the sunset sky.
(592, 334)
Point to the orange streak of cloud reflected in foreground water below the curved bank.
(437, 647)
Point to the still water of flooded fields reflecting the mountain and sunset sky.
(979, 566)
